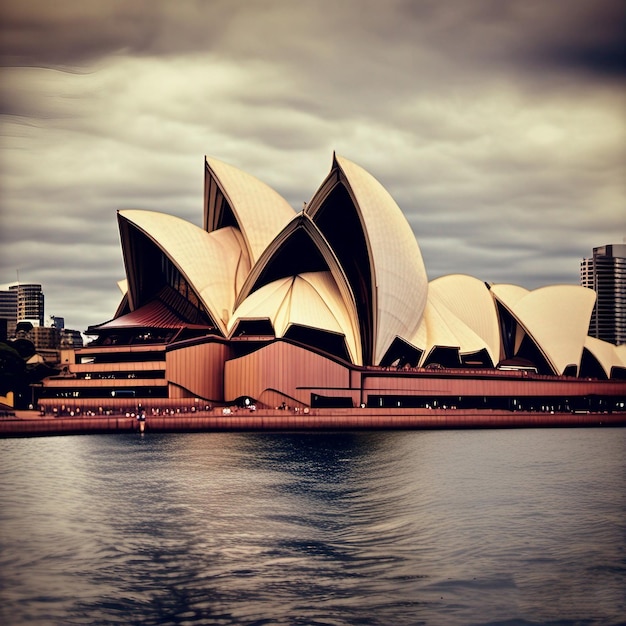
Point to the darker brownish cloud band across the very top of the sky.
(586, 34)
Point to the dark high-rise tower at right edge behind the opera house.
(605, 273)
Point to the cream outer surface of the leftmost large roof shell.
(214, 264)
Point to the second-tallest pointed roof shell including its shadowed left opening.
(235, 198)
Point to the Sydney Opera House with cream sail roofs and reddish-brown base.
(327, 307)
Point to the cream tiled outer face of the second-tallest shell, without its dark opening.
(261, 212)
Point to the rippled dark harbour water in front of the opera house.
(459, 527)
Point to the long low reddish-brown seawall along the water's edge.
(29, 424)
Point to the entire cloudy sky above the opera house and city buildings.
(498, 126)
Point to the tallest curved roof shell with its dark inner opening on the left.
(392, 303)
